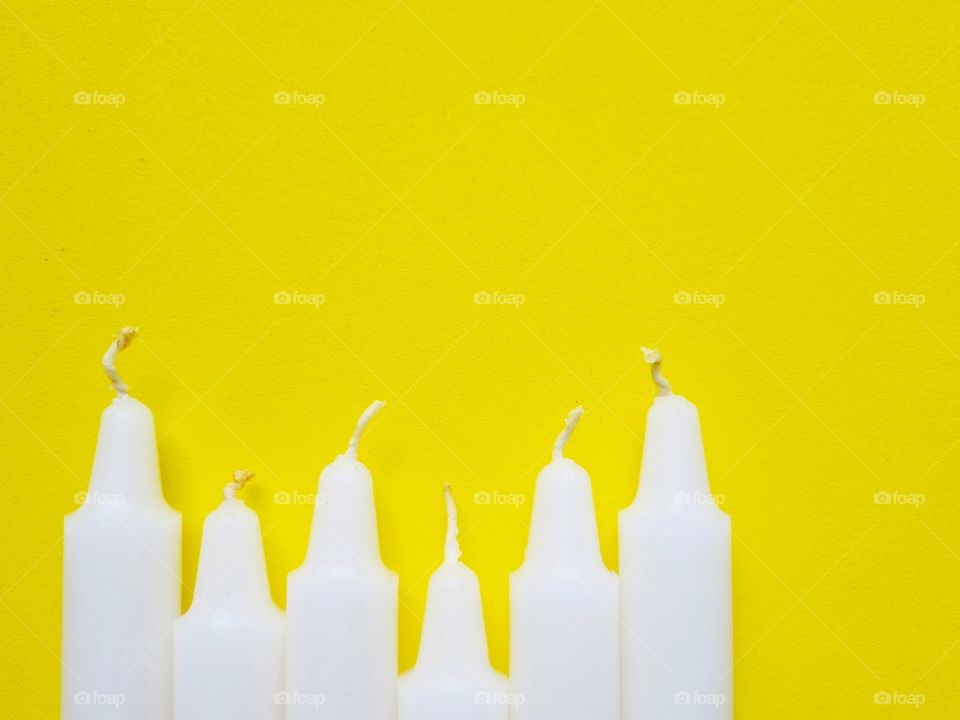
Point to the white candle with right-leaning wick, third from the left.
(342, 604)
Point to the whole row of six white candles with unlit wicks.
(653, 643)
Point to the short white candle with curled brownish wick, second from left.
(228, 647)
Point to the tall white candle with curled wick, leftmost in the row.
(121, 573)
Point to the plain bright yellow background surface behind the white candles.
(598, 200)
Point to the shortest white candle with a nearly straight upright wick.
(452, 679)
